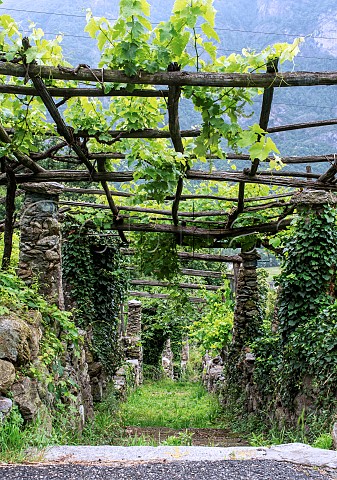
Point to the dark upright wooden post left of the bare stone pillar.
(9, 219)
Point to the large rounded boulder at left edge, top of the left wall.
(19, 339)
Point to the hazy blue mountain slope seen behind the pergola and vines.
(240, 24)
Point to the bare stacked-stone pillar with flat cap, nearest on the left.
(40, 243)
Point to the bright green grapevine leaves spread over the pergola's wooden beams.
(187, 40)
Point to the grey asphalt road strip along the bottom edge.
(203, 470)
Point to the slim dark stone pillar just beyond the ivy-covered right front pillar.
(247, 313)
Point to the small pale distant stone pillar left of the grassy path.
(132, 340)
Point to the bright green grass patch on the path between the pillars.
(170, 404)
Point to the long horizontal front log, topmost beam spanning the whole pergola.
(211, 79)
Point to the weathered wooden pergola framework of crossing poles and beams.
(89, 166)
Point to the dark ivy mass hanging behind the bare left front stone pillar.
(97, 284)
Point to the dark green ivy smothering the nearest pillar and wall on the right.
(300, 355)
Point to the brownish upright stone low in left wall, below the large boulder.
(25, 394)
